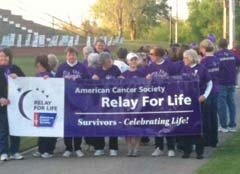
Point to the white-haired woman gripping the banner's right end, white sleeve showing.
(192, 67)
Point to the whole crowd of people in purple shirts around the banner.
(214, 64)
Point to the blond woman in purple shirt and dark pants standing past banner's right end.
(210, 110)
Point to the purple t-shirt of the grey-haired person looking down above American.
(110, 73)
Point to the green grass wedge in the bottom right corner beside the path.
(226, 160)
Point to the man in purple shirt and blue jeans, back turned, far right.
(227, 80)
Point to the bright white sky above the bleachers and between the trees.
(75, 11)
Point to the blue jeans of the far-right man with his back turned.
(226, 99)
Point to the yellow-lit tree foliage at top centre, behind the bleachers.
(133, 17)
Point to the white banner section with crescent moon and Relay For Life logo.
(36, 107)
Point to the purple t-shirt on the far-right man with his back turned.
(227, 67)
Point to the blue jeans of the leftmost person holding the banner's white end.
(4, 135)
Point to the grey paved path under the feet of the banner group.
(145, 164)
